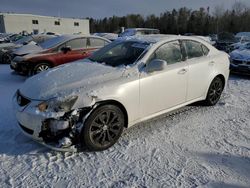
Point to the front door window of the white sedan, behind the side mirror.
(170, 52)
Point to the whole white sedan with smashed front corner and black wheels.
(87, 104)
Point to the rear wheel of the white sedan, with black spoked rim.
(214, 92)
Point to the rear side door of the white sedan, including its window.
(200, 66)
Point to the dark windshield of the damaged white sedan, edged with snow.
(120, 53)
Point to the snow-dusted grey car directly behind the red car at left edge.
(6, 49)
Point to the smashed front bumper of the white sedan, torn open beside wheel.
(58, 131)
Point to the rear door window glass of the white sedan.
(193, 49)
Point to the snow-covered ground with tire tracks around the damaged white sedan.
(202, 147)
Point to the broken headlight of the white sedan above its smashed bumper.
(57, 104)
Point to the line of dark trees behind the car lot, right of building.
(184, 20)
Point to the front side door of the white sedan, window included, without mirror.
(161, 90)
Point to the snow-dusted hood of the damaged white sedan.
(69, 77)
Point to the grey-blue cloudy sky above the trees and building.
(103, 8)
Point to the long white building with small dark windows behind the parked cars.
(16, 23)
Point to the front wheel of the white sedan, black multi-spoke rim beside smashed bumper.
(103, 128)
